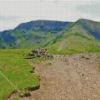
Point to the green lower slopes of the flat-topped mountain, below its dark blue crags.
(36, 38)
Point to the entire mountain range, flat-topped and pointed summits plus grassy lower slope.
(59, 37)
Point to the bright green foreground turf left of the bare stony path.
(16, 69)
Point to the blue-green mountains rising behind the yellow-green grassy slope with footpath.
(42, 33)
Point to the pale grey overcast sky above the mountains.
(14, 12)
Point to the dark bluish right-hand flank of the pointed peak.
(92, 27)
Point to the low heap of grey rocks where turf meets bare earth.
(40, 53)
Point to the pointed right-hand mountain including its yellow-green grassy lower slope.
(83, 36)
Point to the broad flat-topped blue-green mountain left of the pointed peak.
(33, 34)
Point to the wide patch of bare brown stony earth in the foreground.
(68, 77)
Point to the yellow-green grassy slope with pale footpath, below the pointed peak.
(77, 43)
